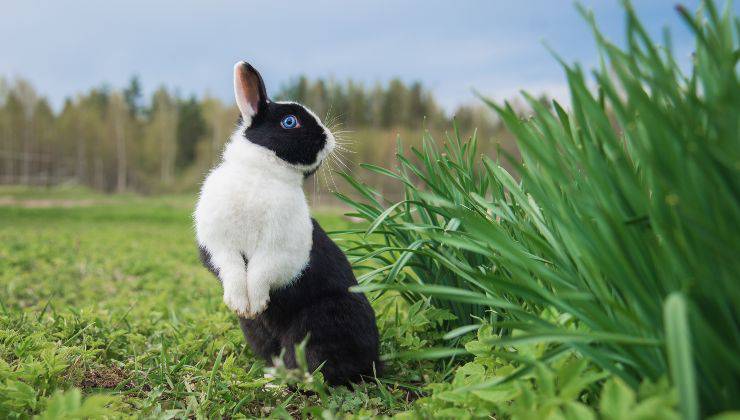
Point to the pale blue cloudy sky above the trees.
(496, 47)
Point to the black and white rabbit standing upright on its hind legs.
(280, 272)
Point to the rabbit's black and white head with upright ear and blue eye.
(288, 129)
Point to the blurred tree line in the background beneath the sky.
(117, 140)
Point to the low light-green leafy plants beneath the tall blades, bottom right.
(565, 387)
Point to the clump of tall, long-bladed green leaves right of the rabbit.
(619, 241)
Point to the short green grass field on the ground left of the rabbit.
(105, 308)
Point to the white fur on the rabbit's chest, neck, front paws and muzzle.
(252, 204)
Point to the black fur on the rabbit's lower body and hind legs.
(341, 324)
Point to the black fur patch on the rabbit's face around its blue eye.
(298, 146)
